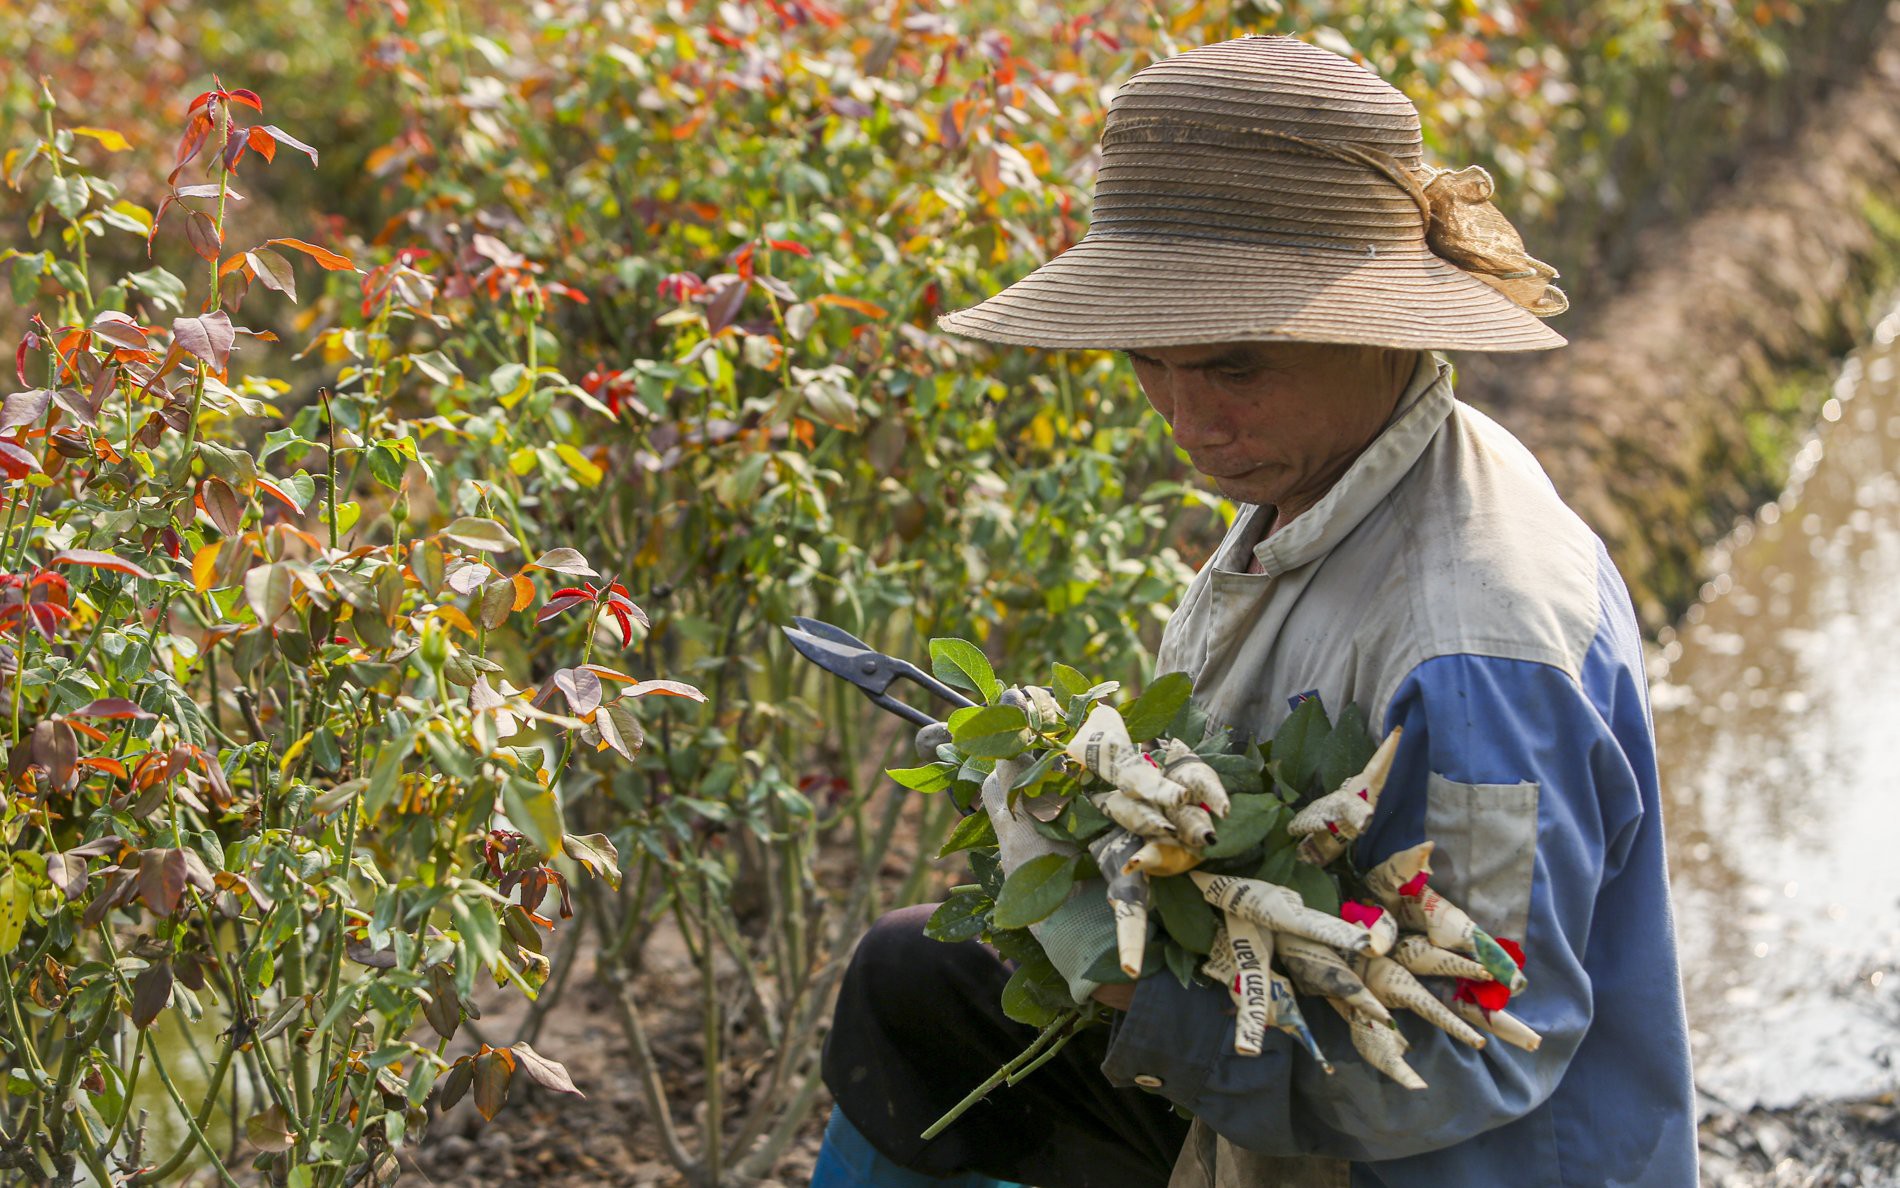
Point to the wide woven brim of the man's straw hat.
(1124, 294)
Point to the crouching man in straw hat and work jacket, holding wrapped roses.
(1280, 267)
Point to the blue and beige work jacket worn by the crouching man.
(1447, 588)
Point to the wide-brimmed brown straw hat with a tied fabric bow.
(1264, 189)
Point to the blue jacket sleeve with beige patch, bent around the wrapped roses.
(1532, 799)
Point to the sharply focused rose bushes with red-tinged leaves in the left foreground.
(269, 784)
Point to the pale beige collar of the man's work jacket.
(1422, 410)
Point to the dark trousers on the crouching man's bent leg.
(921, 1025)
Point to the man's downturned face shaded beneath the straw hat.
(1274, 423)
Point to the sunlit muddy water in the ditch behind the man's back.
(1779, 727)
